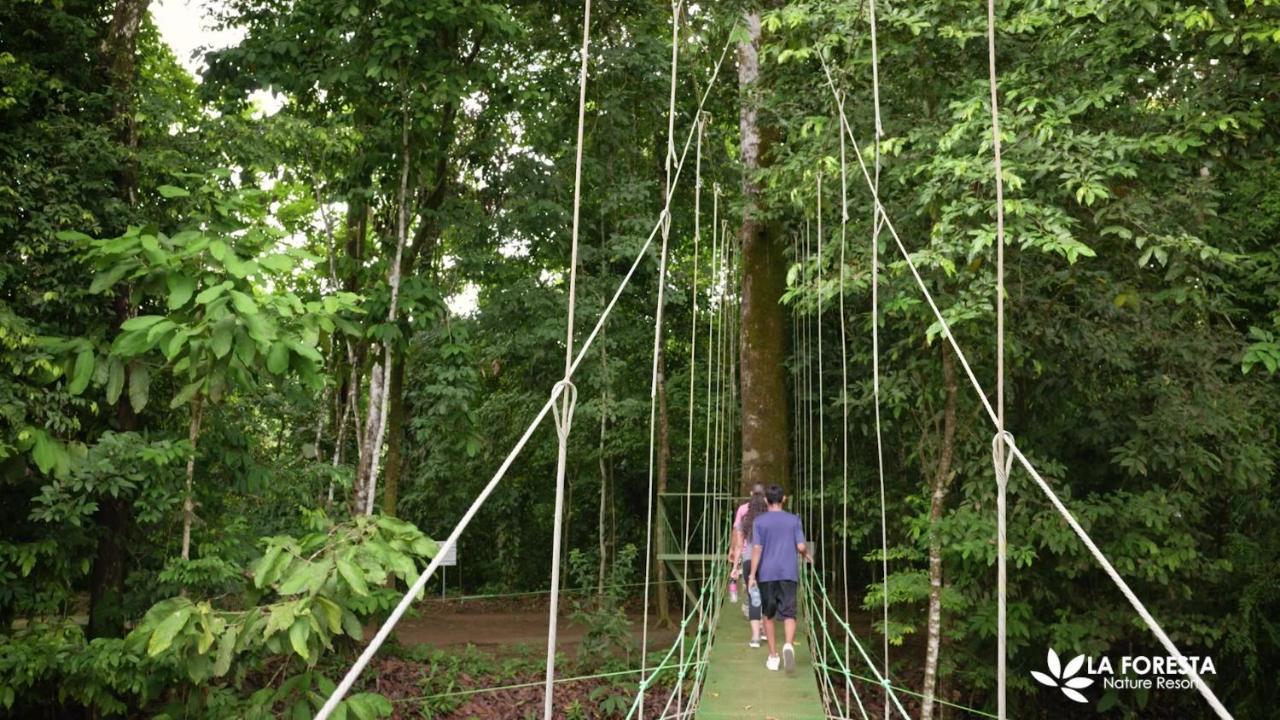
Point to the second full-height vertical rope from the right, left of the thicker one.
(877, 215)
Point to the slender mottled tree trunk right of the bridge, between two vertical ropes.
(943, 477)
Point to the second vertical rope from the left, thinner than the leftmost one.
(657, 340)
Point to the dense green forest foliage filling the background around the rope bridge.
(198, 329)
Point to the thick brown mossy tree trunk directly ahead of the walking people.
(764, 349)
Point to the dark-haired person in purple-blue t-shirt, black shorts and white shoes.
(778, 539)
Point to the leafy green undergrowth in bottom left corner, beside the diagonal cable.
(268, 650)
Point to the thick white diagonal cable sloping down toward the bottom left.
(417, 589)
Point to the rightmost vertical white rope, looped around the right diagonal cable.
(999, 458)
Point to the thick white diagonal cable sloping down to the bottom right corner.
(1206, 692)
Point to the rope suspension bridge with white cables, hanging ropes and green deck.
(708, 672)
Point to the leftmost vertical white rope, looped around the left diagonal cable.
(565, 416)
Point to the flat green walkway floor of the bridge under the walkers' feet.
(739, 687)
